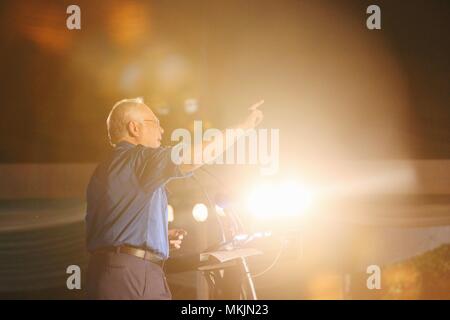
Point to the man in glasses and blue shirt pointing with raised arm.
(127, 227)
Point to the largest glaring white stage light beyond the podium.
(280, 200)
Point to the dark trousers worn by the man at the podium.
(119, 276)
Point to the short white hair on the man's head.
(118, 118)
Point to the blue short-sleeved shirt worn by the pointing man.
(127, 201)
